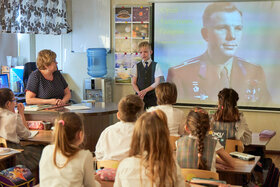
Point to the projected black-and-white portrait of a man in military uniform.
(204, 76)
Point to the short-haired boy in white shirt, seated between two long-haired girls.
(114, 141)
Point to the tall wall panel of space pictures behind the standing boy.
(132, 26)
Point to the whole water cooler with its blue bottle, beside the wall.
(97, 88)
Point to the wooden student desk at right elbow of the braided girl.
(240, 174)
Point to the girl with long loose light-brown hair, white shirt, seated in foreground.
(150, 161)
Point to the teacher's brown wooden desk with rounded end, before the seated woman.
(96, 119)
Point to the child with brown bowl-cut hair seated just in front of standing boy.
(166, 94)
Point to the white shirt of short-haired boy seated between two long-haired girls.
(114, 141)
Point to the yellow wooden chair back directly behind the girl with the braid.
(188, 174)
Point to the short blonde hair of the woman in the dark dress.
(45, 58)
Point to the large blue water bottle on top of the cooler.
(97, 62)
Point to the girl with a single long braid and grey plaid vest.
(198, 150)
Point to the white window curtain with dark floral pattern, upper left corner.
(33, 16)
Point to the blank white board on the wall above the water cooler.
(90, 24)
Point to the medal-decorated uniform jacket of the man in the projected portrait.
(198, 79)
